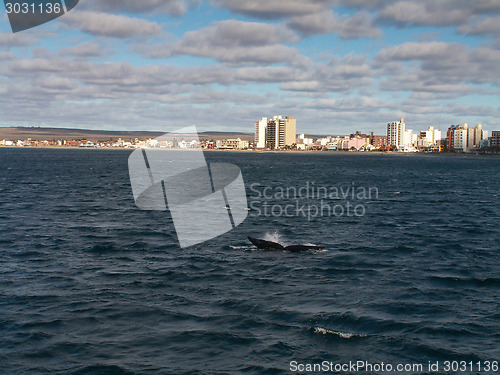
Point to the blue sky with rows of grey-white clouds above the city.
(335, 65)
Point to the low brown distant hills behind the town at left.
(42, 134)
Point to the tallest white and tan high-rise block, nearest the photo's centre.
(277, 132)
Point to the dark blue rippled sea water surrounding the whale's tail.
(89, 284)
